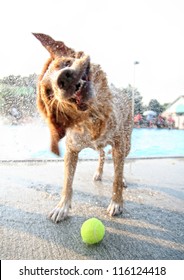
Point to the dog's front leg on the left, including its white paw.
(60, 212)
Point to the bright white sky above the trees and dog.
(115, 33)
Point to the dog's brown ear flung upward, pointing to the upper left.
(55, 48)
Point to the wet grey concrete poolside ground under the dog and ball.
(151, 226)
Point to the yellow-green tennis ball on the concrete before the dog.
(92, 231)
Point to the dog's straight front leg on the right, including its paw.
(116, 205)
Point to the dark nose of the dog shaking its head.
(66, 79)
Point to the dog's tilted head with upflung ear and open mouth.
(66, 77)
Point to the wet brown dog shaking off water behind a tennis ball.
(76, 101)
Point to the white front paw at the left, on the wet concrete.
(60, 212)
